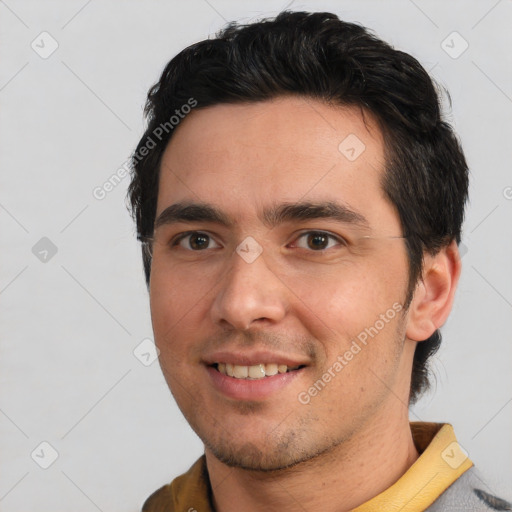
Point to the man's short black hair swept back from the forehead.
(319, 56)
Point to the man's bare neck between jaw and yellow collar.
(350, 474)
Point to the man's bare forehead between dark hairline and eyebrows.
(245, 156)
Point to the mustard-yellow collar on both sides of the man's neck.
(441, 462)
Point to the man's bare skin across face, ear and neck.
(352, 440)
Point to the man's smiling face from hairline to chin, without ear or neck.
(325, 294)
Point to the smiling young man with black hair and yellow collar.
(300, 200)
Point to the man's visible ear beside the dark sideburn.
(433, 297)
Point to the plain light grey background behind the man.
(70, 323)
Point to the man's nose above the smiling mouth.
(249, 293)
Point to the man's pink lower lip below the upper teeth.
(250, 389)
